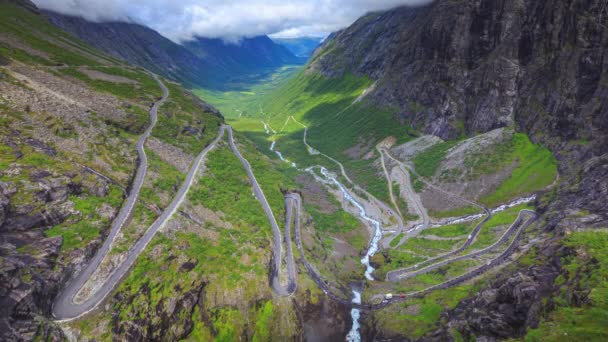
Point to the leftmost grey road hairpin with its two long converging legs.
(64, 308)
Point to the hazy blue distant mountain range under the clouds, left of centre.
(201, 62)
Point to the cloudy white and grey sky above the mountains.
(181, 20)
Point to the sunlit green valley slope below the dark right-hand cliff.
(335, 123)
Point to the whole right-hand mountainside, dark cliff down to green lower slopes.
(488, 100)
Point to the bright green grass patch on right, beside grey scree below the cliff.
(536, 169)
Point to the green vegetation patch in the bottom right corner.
(585, 272)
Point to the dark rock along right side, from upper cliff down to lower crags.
(467, 67)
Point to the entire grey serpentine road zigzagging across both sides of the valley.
(65, 309)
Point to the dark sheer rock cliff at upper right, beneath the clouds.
(478, 63)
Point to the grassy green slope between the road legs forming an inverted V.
(235, 261)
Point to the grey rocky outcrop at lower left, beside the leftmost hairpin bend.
(29, 274)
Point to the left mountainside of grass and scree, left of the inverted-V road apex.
(70, 117)
